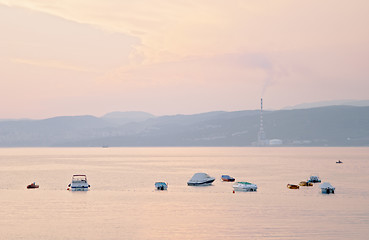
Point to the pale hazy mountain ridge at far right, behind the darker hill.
(358, 103)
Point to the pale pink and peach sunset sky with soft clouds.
(91, 57)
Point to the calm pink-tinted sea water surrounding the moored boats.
(123, 204)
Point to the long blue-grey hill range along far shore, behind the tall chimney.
(323, 126)
